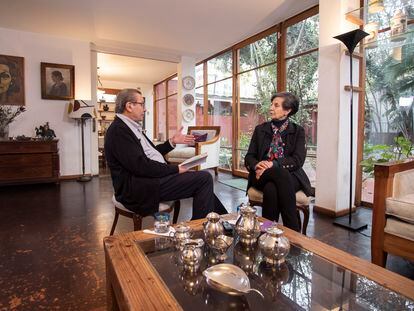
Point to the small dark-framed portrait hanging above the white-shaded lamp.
(58, 81)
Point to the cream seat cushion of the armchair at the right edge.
(401, 207)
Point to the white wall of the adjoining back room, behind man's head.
(147, 92)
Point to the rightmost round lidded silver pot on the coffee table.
(274, 246)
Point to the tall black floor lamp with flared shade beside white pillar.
(351, 39)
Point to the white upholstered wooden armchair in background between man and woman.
(209, 143)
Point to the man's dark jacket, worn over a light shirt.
(135, 177)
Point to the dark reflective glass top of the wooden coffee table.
(304, 282)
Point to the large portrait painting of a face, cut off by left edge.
(12, 80)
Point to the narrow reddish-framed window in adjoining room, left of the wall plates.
(165, 100)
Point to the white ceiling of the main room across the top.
(155, 29)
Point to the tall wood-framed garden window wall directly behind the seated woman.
(233, 88)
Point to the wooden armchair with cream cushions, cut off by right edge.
(393, 212)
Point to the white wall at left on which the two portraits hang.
(37, 48)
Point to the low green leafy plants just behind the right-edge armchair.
(402, 149)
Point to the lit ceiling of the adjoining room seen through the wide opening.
(132, 69)
